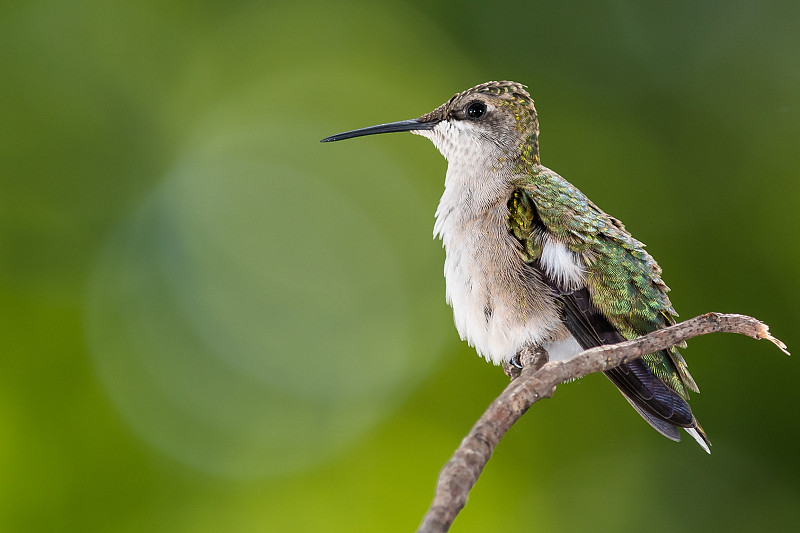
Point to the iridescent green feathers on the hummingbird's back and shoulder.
(624, 281)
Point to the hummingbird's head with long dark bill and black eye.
(497, 118)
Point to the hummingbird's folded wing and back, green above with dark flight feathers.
(620, 295)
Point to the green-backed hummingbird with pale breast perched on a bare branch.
(531, 262)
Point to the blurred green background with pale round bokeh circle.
(212, 322)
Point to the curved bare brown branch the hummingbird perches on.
(538, 380)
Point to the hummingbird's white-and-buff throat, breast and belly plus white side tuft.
(497, 305)
